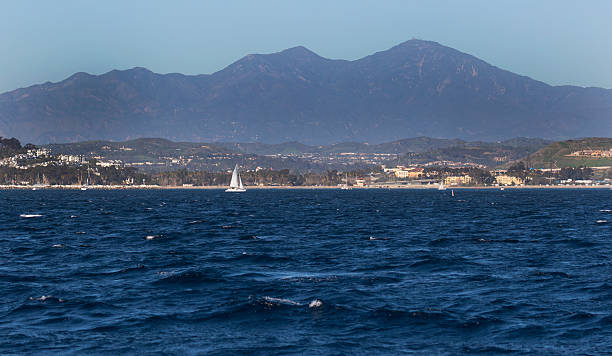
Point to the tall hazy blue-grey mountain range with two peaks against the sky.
(417, 88)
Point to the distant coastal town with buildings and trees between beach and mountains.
(33, 166)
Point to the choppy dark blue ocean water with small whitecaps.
(306, 272)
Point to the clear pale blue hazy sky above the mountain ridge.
(558, 42)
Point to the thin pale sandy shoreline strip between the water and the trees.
(285, 187)
